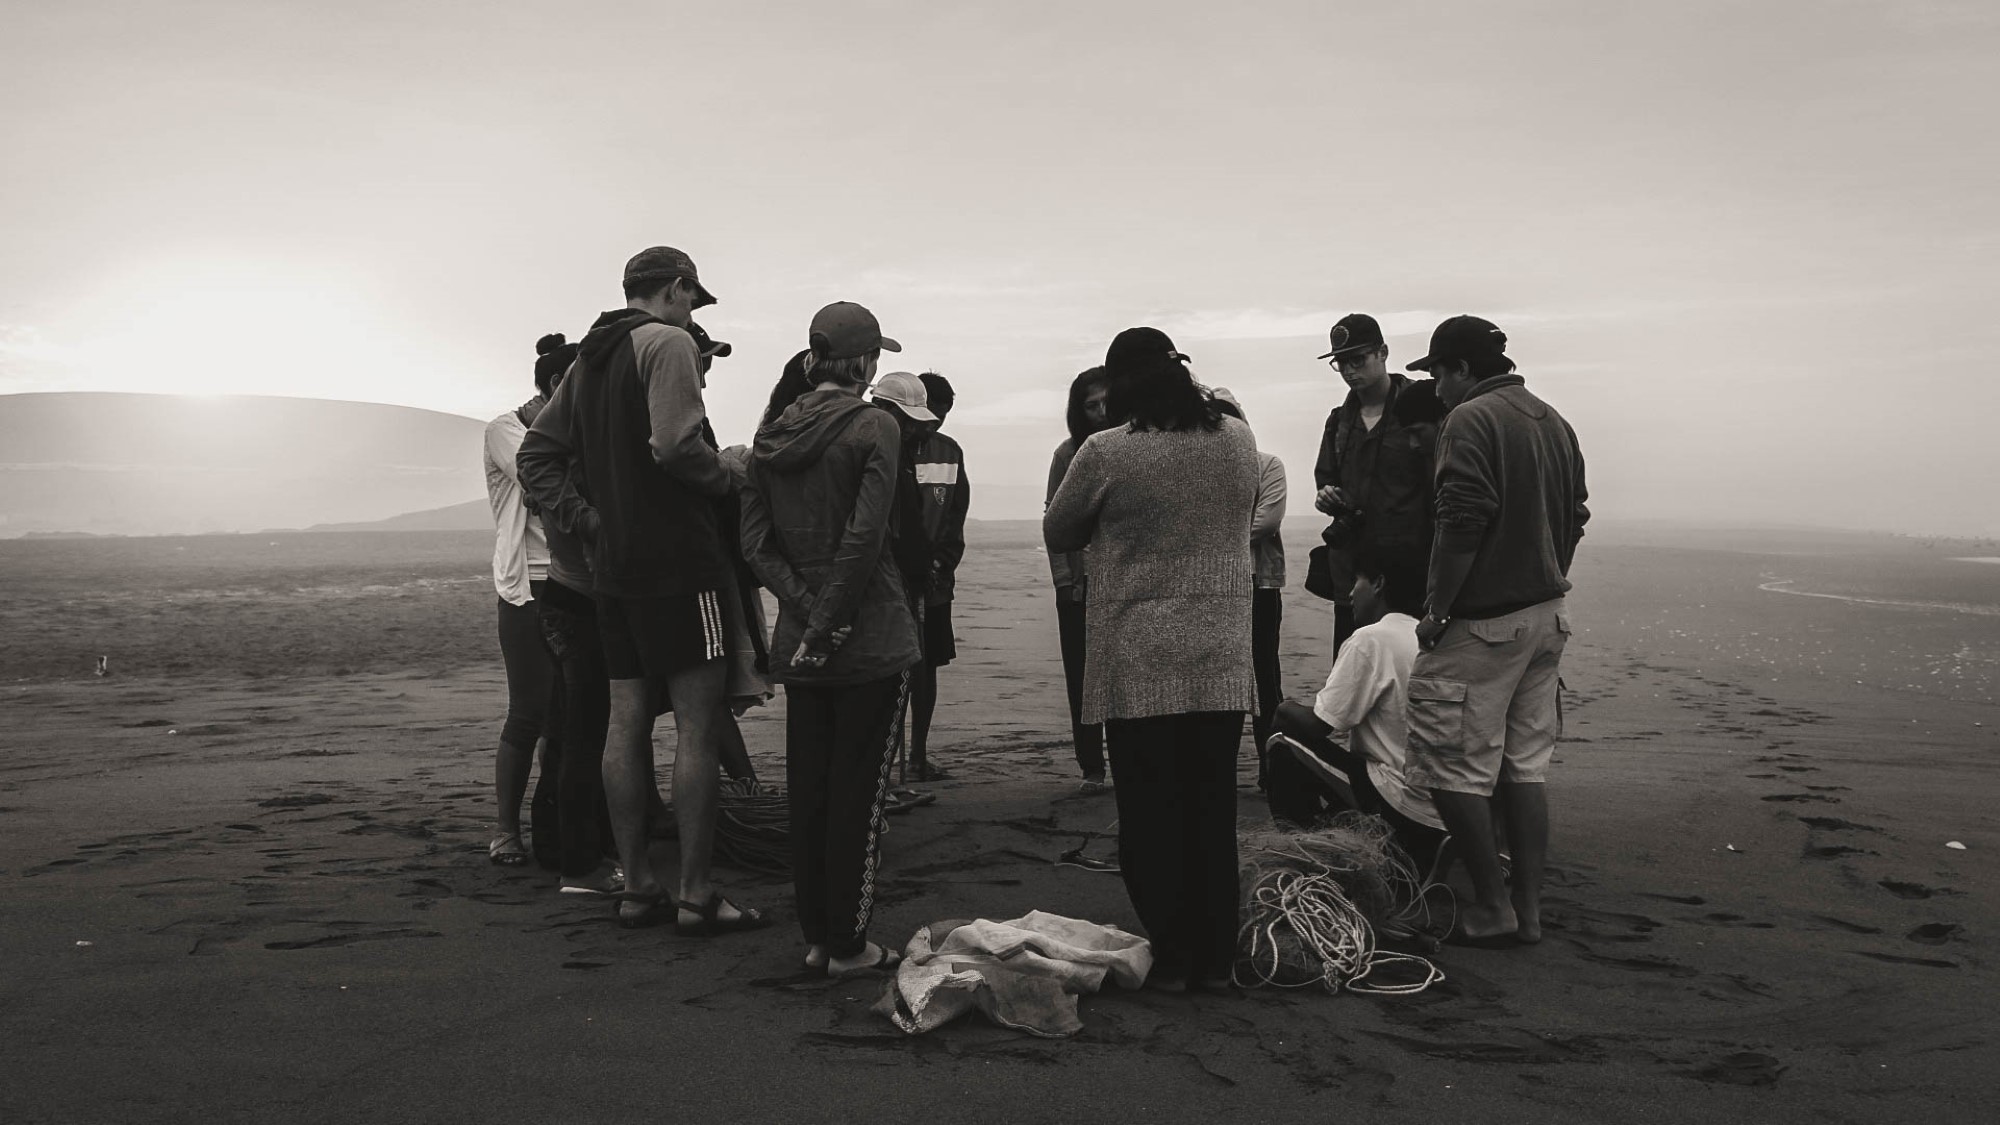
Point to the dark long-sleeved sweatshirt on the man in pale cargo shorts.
(1511, 489)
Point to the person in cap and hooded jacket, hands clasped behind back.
(817, 523)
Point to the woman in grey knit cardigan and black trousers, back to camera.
(1165, 505)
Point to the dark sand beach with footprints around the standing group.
(245, 874)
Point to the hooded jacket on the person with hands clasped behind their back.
(817, 519)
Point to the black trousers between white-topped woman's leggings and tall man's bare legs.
(583, 826)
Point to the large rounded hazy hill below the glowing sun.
(175, 465)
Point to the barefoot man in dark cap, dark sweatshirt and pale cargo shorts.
(1485, 710)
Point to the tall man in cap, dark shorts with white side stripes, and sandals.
(631, 417)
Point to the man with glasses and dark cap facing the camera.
(1375, 467)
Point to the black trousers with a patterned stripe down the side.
(839, 748)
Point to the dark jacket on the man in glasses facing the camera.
(1387, 473)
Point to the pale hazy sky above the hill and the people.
(1751, 251)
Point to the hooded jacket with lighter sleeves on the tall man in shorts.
(631, 417)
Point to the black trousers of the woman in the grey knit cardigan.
(1177, 836)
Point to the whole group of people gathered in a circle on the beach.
(631, 551)
